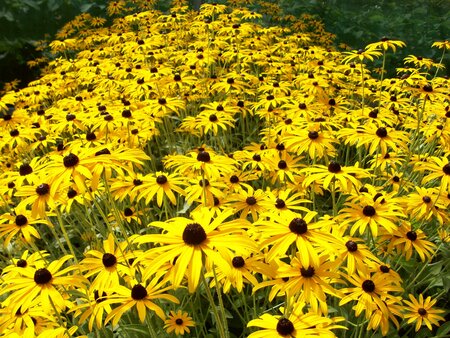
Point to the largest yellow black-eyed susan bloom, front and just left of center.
(190, 241)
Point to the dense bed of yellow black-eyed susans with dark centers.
(169, 159)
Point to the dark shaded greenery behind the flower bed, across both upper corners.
(355, 23)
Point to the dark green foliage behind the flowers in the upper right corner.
(358, 23)
